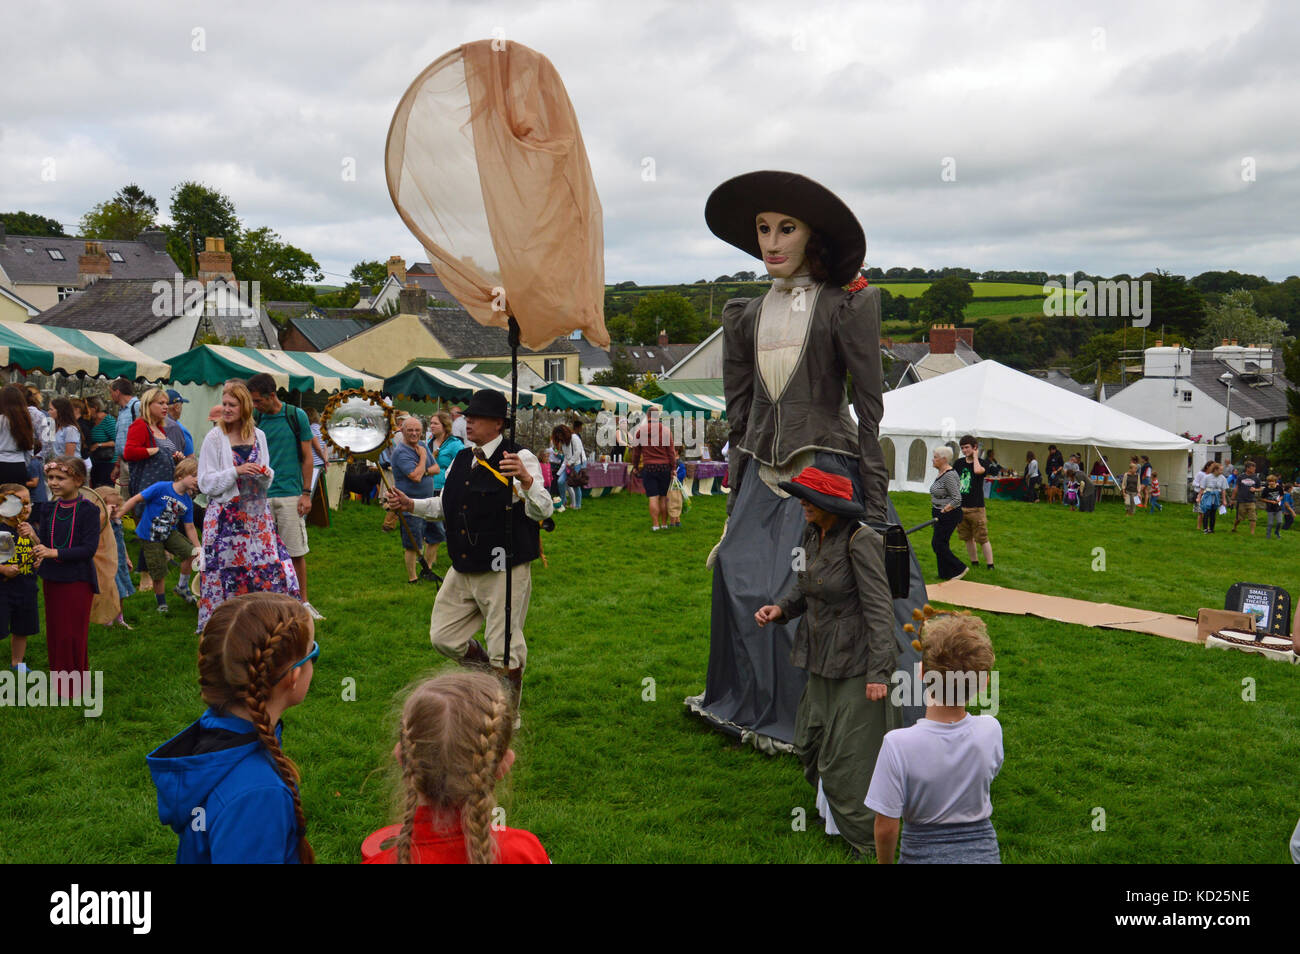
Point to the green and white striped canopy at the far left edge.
(49, 349)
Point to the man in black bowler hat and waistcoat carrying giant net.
(486, 482)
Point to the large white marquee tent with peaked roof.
(1012, 413)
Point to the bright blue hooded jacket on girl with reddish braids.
(220, 792)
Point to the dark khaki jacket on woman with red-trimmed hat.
(842, 599)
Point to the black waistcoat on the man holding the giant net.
(475, 508)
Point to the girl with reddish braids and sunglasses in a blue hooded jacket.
(226, 787)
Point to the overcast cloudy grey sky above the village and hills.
(1110, 137)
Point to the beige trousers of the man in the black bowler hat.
(469, 602)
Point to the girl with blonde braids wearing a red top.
(454, 748)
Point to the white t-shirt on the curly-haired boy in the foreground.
(938, 773)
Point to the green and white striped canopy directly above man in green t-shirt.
(294, 371)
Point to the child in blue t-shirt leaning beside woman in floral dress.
(170, 505)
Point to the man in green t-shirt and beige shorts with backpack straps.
(289, 441)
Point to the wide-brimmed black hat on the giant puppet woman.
(735, 205)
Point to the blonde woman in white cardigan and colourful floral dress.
(242, 553)
